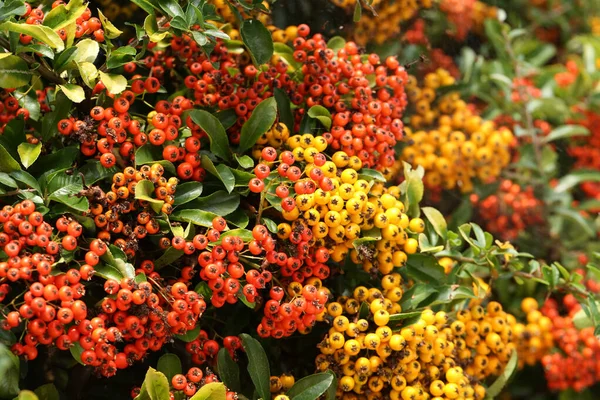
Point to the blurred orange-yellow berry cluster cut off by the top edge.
(387, 23)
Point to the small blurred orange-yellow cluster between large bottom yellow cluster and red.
(534, 339)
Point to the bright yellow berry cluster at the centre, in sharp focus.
(353, 206)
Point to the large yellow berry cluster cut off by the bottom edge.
(435, 358)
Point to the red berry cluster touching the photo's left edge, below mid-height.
(50, 301)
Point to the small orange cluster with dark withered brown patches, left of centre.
(124, 219)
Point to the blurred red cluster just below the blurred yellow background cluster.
(510, 211)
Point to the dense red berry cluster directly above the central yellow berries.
(370, 124)
